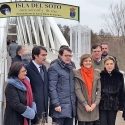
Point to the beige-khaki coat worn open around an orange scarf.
(81, 93)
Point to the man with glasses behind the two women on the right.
(96, 54)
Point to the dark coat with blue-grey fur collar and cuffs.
(15, 93)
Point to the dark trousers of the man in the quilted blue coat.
(63, 121)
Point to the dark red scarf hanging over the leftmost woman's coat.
(29, 96)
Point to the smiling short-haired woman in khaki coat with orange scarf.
(88, 91)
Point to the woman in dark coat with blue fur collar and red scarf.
(20, 107)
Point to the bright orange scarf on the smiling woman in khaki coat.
(88, 75)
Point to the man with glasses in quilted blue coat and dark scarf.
(61, 89)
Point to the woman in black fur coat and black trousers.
(112, 92)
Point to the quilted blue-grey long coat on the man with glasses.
(62, 90)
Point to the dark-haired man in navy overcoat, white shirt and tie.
(37, 73)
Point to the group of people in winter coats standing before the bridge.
(92, 94)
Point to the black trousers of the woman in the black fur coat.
(107, 117)
